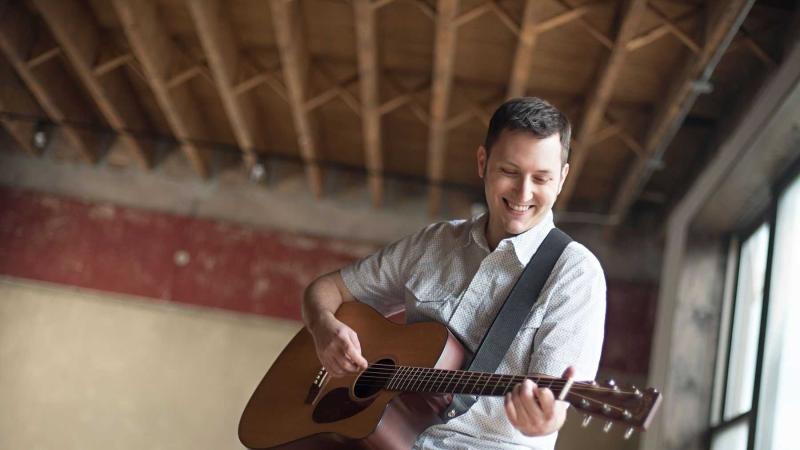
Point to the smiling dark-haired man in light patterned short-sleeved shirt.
(459, 273)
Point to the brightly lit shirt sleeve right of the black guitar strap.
(572, 329)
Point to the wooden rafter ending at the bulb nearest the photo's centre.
(222, 52)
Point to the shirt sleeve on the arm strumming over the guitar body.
(378, 280)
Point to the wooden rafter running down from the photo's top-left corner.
(49, 86)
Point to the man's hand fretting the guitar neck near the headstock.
(534, 411)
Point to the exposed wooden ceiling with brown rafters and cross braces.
(394, 88)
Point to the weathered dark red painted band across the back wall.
(131, 251)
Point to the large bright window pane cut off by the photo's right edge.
(777, 427)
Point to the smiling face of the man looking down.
(521, 179)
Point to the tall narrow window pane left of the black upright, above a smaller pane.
(746, 323)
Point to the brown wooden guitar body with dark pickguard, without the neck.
(298, 406)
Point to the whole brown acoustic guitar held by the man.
(412, 374)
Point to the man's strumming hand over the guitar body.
(337, 346)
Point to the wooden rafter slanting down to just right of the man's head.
(600, 95)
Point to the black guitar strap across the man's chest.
(512, 314)
